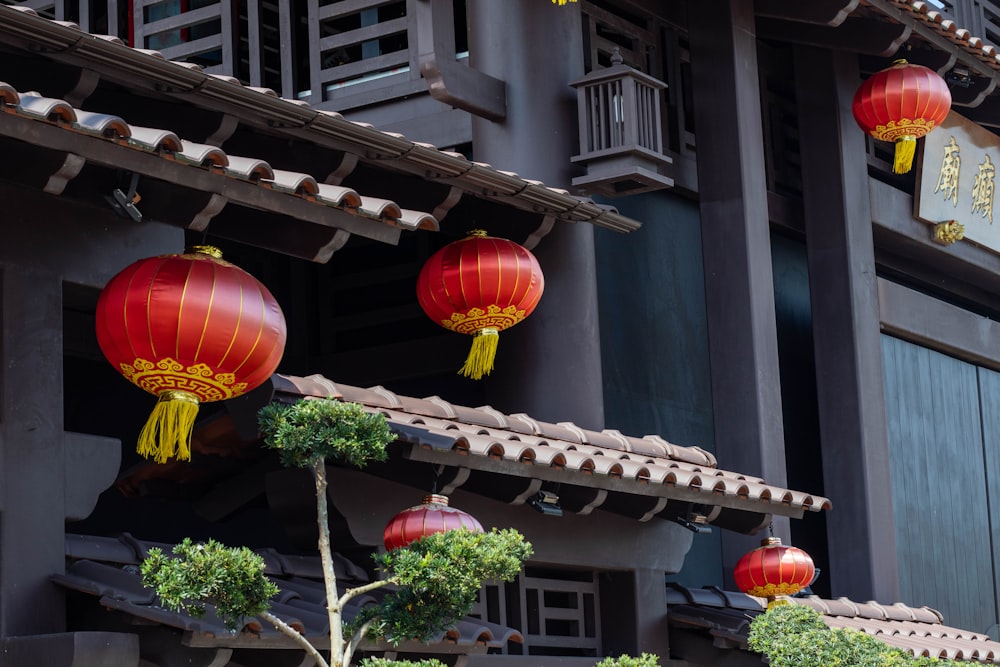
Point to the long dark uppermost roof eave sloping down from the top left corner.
(22, 27)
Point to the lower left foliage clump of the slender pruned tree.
(230, 578)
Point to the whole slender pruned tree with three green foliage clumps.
(438, 577)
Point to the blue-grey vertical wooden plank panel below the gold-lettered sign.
(939, 482)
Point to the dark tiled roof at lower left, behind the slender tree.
(107, 567)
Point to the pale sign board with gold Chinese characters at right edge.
(957, 177)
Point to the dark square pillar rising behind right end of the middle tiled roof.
(736, 247)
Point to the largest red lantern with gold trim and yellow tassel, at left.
(188, 328)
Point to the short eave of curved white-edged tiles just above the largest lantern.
(158, 153)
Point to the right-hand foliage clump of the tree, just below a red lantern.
(439, 577)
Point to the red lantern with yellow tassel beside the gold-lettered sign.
(901, 104)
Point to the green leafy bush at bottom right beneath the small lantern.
(795, 636)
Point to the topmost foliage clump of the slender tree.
(312, 430)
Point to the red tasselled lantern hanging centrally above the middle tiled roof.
(480, 286)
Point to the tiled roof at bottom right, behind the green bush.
(920, 631)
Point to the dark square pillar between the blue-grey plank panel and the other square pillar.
(845, 328)
